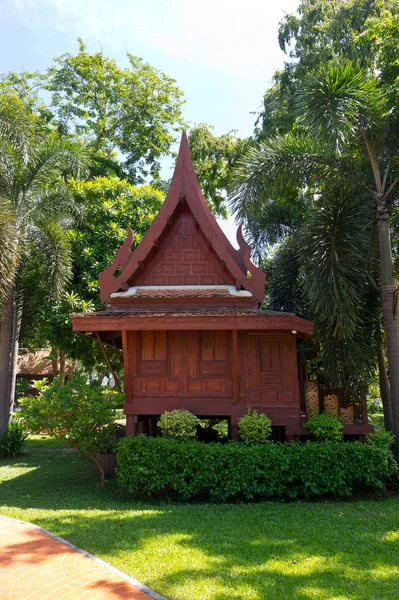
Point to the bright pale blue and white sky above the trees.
(222, 53)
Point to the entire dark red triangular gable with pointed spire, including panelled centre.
(184, 254)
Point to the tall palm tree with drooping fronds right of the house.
(345, 143)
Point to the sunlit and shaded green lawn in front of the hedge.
(299, 551)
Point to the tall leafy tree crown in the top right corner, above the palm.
(321, 31)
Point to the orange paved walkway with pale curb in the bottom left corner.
(36, 565)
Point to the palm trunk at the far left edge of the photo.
(5, 356)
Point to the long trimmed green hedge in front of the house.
(165, 468)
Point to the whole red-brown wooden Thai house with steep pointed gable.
(184, 309)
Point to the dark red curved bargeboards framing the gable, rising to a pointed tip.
(184, 188)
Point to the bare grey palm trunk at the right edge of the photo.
(389, 298)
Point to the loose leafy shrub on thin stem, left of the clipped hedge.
(79, 412)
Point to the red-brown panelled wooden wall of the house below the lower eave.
(193, 369)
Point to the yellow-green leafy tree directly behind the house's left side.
(108, 206)
